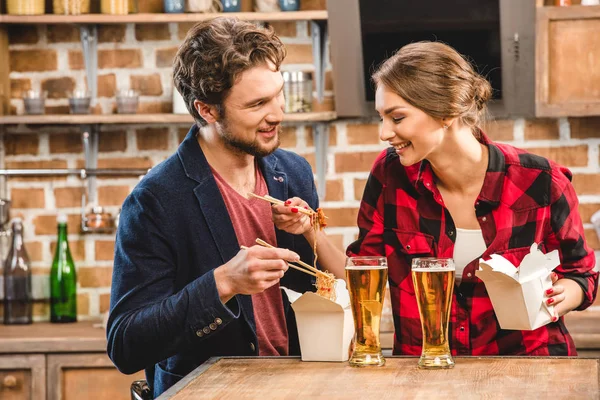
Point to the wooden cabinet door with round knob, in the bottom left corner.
(22, 377)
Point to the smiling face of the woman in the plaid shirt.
(414, 134)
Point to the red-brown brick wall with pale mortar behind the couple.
(139, 57)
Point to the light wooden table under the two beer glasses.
(472, 378)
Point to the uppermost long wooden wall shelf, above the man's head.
(148, 18)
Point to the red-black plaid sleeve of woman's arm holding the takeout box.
(565, 233)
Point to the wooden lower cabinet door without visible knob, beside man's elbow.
(87, 376)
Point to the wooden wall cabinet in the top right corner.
(568, 61)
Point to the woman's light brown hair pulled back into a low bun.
(436, 79)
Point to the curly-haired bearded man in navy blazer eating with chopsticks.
(182, 289)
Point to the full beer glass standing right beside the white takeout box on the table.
(366, 277)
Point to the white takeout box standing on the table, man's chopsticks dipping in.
(325, 327)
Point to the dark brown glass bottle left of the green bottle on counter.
(18, 299)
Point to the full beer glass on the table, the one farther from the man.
(433, 279)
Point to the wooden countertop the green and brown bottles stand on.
(44, 337)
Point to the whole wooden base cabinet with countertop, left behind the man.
(59, 362)
